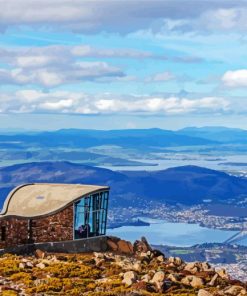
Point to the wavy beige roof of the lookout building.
(42, 199)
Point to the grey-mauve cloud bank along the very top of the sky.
(114, 16)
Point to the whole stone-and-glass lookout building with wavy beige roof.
(54, 215)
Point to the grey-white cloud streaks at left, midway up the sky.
(52, 66)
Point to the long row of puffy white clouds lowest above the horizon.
(81, 103)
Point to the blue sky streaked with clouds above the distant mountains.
(122, 64)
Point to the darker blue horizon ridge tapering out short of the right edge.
(72, 138)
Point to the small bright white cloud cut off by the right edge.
(237, 78)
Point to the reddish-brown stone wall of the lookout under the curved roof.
(57, 227)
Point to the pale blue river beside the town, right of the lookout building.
(174, 234)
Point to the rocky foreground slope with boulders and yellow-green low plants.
(125, 270)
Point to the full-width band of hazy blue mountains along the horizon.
(129, 138)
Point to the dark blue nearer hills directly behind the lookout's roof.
(186, 185)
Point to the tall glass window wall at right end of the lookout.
(90, 215)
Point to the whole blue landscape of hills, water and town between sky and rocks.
(186, 190)
